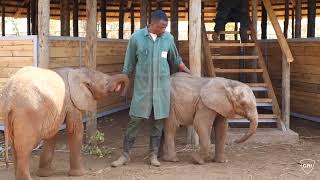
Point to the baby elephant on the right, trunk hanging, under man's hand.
(206, 103)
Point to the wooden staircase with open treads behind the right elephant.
(243, 62)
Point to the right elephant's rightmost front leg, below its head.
(220, 128)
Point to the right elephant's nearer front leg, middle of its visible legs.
(203, 123)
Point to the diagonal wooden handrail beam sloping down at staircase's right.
(280, 37)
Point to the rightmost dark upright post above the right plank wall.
(312, 6)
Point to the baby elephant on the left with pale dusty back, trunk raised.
(34, 104)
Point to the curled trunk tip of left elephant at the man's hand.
(119, 79)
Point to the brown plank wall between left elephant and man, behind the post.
(110, 56)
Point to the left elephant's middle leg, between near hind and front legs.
(46, 157)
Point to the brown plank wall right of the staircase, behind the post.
(305, 74)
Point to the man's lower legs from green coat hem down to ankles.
(132, 131)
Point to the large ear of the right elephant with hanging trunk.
(217, 96)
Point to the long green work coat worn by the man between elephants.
(152, 74)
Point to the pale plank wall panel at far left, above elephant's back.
(14, 54)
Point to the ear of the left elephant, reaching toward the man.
(80, 93)
